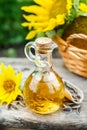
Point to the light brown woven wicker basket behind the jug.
(74, 52)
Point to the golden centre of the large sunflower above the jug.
(59, 7)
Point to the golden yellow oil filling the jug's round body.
(44, 93)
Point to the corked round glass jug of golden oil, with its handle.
(43, 89)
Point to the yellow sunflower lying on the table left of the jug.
(9, 84)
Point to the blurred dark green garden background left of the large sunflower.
(12, 34)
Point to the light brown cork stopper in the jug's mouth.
(43, 42)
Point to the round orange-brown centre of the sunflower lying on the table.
(9, 85)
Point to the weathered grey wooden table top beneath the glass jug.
(60, 120)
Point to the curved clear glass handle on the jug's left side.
(28, 52)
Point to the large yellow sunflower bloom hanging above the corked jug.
(45, 15)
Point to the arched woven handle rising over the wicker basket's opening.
(72, 36)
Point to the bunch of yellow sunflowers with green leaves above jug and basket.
(49, 18)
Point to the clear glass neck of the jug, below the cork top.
(44, 58)
